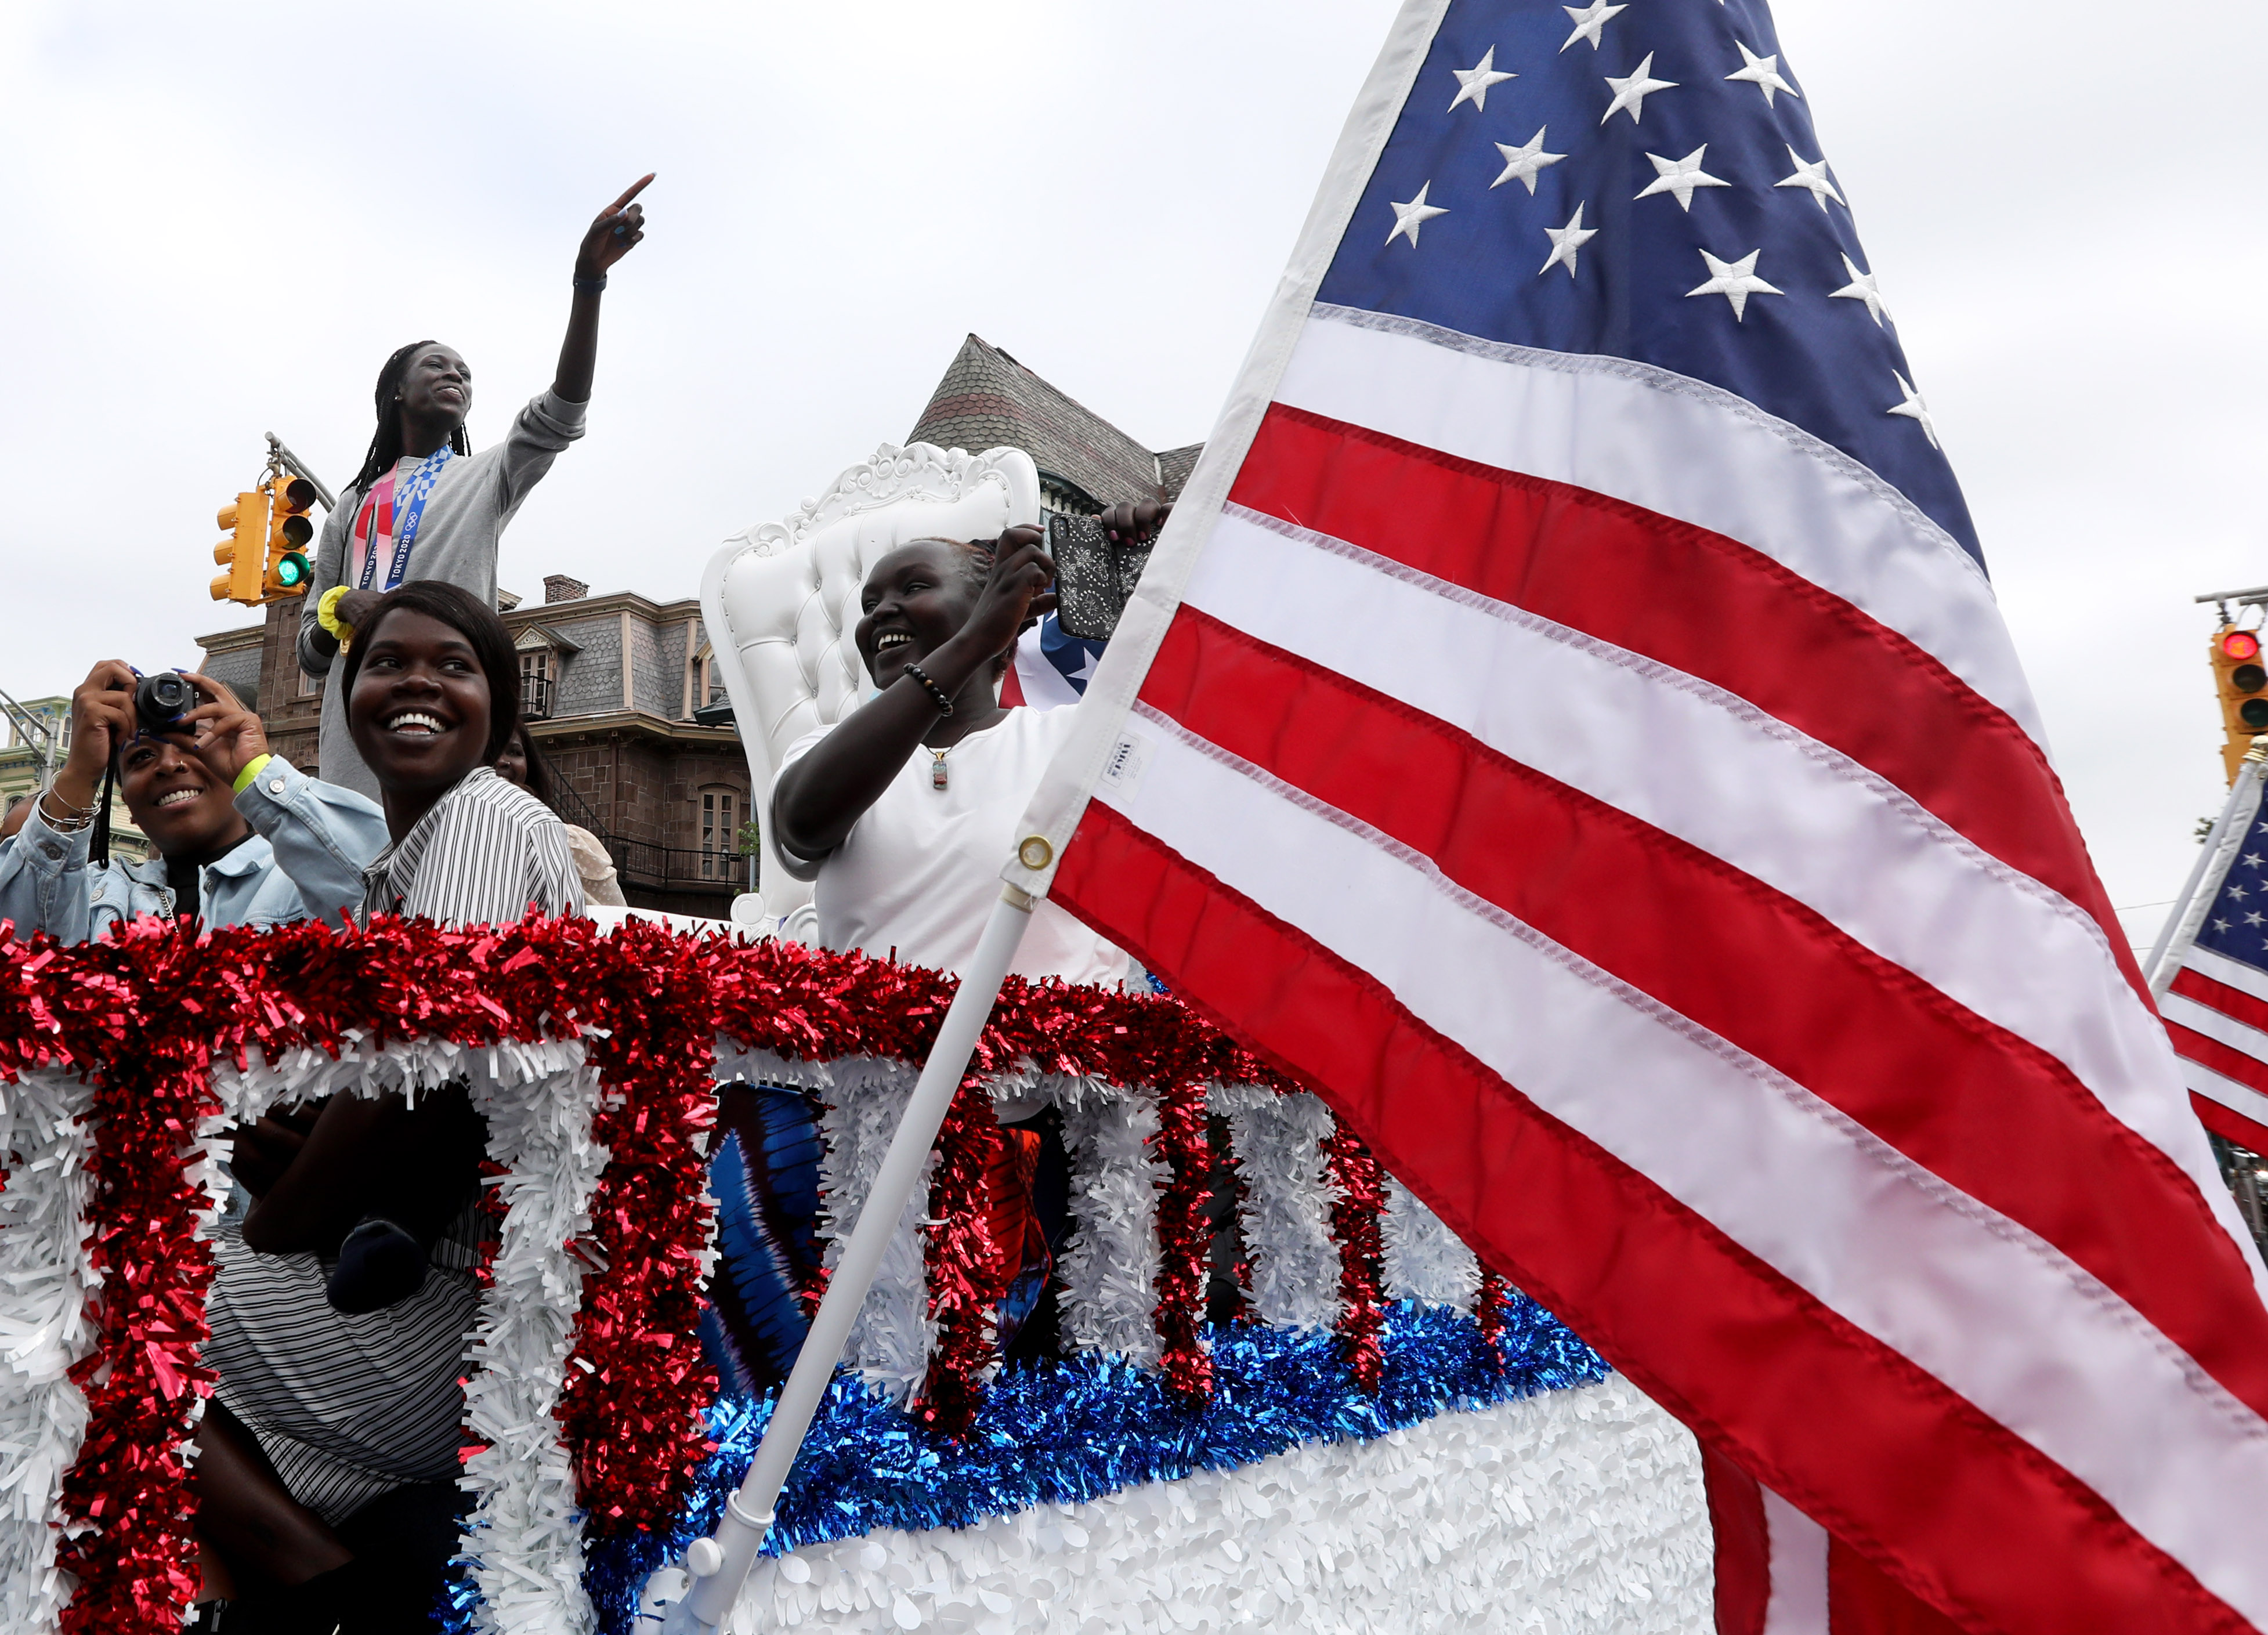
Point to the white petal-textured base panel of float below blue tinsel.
(1571, 1514)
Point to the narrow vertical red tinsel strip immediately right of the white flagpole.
(963, 1260)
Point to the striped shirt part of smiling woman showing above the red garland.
(482, 856)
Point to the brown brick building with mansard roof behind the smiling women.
(609, 686)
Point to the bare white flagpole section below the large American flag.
(720, 1564)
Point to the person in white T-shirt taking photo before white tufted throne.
(906, 811)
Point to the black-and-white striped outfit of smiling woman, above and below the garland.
(355, 1407)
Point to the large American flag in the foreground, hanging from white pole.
(1568, 722)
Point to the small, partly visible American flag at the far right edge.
(2215, 974)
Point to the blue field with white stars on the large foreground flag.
(1534, 119)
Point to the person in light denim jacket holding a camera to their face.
(242, 838)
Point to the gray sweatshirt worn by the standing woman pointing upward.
(457, 541)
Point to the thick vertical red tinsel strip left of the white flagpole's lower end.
(636, 1380)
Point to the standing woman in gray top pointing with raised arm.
(425, 505)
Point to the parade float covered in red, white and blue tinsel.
(1382, 1437)
